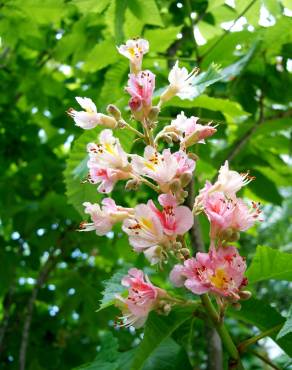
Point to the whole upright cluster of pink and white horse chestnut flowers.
(158, 227)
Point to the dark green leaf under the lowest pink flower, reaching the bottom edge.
(157, 329)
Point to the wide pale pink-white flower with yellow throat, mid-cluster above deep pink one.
(162, 168)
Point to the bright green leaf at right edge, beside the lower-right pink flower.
(269, 263)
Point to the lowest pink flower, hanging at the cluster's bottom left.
(143, 297)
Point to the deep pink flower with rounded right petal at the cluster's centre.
(176, 220)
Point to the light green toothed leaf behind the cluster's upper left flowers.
(76, 170)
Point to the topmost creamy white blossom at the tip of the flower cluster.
(134, 51)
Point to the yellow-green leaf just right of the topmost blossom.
(161, 39)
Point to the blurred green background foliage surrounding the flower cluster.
(53, 50)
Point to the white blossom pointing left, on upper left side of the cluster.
(89, 118)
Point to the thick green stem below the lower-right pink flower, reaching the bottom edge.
(222, 331)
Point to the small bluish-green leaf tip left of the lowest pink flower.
(112, 287)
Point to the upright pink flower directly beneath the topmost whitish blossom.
(141, 87)
